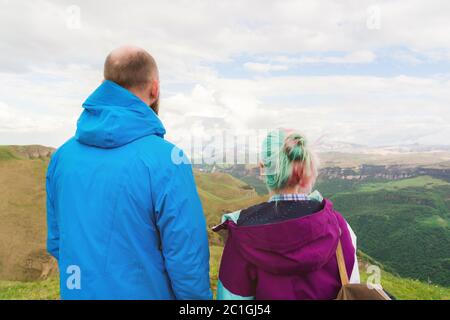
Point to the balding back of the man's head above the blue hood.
(131, 68)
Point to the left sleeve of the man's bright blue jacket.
(52, 221)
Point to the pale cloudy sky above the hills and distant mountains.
(374, 73)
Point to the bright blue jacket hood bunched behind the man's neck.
(113, 117)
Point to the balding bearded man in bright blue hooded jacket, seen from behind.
(124, 217)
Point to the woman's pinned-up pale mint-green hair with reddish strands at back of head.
(283, 154)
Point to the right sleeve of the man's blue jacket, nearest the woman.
(184, 240)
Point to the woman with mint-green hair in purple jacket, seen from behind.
(286, 248)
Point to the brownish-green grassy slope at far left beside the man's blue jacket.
(22, 215)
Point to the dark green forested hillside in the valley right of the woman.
(404, 223)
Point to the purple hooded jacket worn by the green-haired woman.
(293, 259)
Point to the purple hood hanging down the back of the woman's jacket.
(297, 245)
